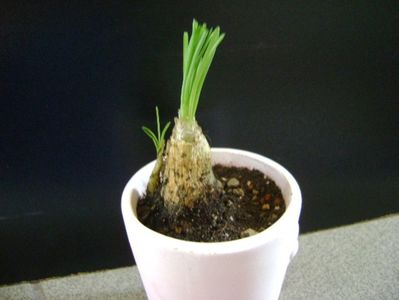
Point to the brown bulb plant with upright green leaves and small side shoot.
(183, 175)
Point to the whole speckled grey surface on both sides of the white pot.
(361, 264)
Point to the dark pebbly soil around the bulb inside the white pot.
(249, 203)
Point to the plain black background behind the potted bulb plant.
(312, 85)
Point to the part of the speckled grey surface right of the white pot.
(352, 262)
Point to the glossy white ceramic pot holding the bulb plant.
(249, 268)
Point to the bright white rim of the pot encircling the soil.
(277, 230)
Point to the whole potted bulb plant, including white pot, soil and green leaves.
(183, 183)
